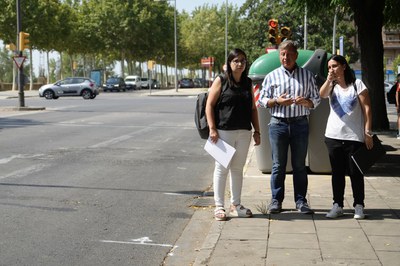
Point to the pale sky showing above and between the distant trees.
(187, 5)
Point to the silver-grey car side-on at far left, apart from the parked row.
(73, 86)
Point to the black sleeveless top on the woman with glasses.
(234, 107)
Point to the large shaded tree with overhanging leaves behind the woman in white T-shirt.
(370, 16)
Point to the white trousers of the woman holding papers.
(240, 140)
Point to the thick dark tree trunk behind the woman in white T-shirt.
(368, 15)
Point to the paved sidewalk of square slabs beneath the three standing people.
(292, 238)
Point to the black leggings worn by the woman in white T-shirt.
(340, 152)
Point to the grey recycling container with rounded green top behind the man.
(317, 157)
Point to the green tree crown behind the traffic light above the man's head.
(254, 27)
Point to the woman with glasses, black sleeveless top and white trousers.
(231, 115)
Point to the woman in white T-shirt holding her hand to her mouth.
(348, 128)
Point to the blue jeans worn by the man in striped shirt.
(282, 134)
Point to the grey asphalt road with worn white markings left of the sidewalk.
(106, 181)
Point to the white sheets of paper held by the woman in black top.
(221, 151)
